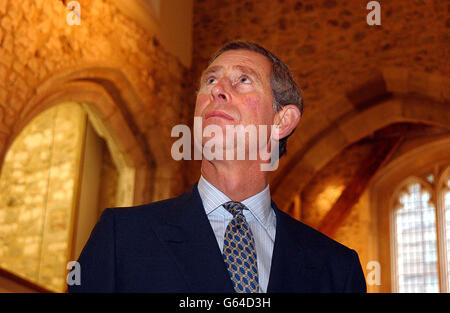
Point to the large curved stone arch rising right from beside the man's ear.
(407, 96)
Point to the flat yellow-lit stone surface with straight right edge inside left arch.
(37, 188)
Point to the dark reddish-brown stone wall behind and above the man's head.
(328, 44)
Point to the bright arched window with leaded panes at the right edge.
(420, 222)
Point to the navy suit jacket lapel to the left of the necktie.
(190, 238)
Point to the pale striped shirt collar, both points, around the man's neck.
(259, 204)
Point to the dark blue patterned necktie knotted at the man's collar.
(239, 252)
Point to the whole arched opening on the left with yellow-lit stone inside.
(57, 177)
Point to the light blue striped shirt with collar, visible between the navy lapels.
(260, 216)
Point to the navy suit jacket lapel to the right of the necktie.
(292, 269)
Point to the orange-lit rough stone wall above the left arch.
(38, 44)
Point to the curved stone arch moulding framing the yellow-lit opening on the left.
(105, 94)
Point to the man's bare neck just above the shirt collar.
(238, 180)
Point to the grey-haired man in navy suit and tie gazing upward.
(225, 234)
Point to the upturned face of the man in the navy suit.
(235, 90)
